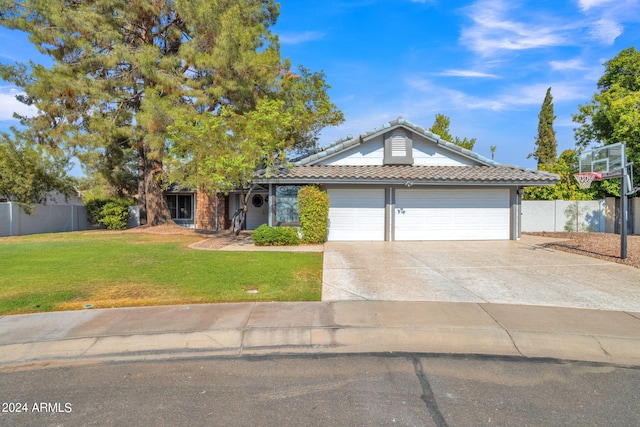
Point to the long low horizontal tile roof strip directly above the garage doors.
(495, 174)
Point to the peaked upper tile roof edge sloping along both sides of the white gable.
(349, 141)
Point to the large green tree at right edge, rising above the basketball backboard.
(613, 114)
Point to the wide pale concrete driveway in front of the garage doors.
(511, 272)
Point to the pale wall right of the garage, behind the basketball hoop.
(563, 215)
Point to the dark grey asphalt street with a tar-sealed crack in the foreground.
(347, 390)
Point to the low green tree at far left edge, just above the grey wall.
(30, 172)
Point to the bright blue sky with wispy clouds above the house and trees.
(486, 63)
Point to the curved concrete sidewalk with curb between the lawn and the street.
(320, 327)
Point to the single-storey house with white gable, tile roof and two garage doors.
(394, 183)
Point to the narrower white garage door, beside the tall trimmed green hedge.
(356, 214)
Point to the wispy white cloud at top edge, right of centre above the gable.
(492, 31)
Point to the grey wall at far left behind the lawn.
(49, 218)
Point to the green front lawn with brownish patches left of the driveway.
(67, 271)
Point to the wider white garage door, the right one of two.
(445, 214)
